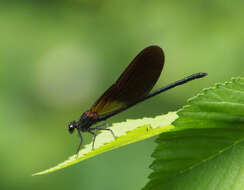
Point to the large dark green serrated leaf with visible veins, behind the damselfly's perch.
(208, 136)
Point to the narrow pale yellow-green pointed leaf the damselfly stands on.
(126, 133)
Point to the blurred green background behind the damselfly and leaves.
(58, 57)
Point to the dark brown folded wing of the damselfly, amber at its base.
(135, 82)
